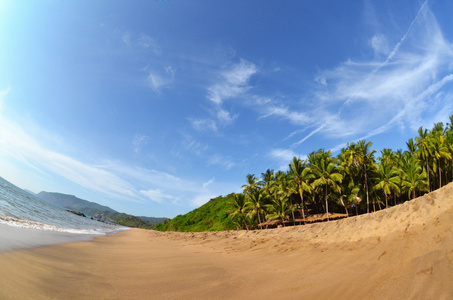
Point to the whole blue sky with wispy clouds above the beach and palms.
(154, 107)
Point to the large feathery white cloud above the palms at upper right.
(370, 97)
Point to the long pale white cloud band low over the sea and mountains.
(112, 179)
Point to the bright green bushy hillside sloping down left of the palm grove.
(212, 216)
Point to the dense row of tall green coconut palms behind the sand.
(355, 181)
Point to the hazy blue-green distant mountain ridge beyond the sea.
(97, 211)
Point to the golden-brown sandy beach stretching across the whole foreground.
(405, 252)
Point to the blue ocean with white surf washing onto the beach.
(28, 221)
